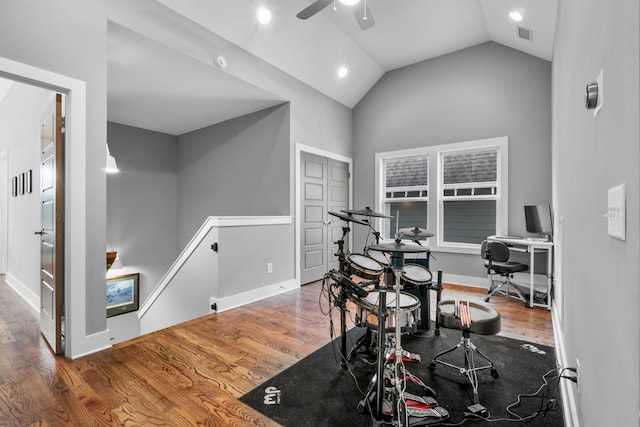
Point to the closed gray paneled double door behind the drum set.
(324, 184)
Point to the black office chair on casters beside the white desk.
(496, 256)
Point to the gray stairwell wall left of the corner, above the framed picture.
(142, 209)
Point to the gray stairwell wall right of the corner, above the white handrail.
(236, 168)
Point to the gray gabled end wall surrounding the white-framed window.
(485, 91)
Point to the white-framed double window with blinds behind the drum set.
(458, 191)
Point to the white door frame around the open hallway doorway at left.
(78, 343)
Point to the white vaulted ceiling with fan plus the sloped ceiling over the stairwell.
(144, 91)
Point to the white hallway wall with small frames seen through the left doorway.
(20, 135)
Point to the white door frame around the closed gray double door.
(300, 148)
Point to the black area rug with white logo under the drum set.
(317, 392)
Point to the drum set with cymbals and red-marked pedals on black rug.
(387, 312)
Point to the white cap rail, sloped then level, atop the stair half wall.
(203, 231)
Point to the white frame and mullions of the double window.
(436, 198)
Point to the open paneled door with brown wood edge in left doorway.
(52, 221)
